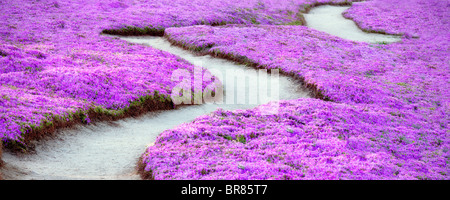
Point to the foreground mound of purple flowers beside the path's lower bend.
(307, 139)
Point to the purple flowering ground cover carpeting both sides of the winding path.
(386, 118)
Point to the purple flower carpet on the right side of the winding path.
(387, 116)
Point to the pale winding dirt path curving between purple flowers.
(110, 150)
